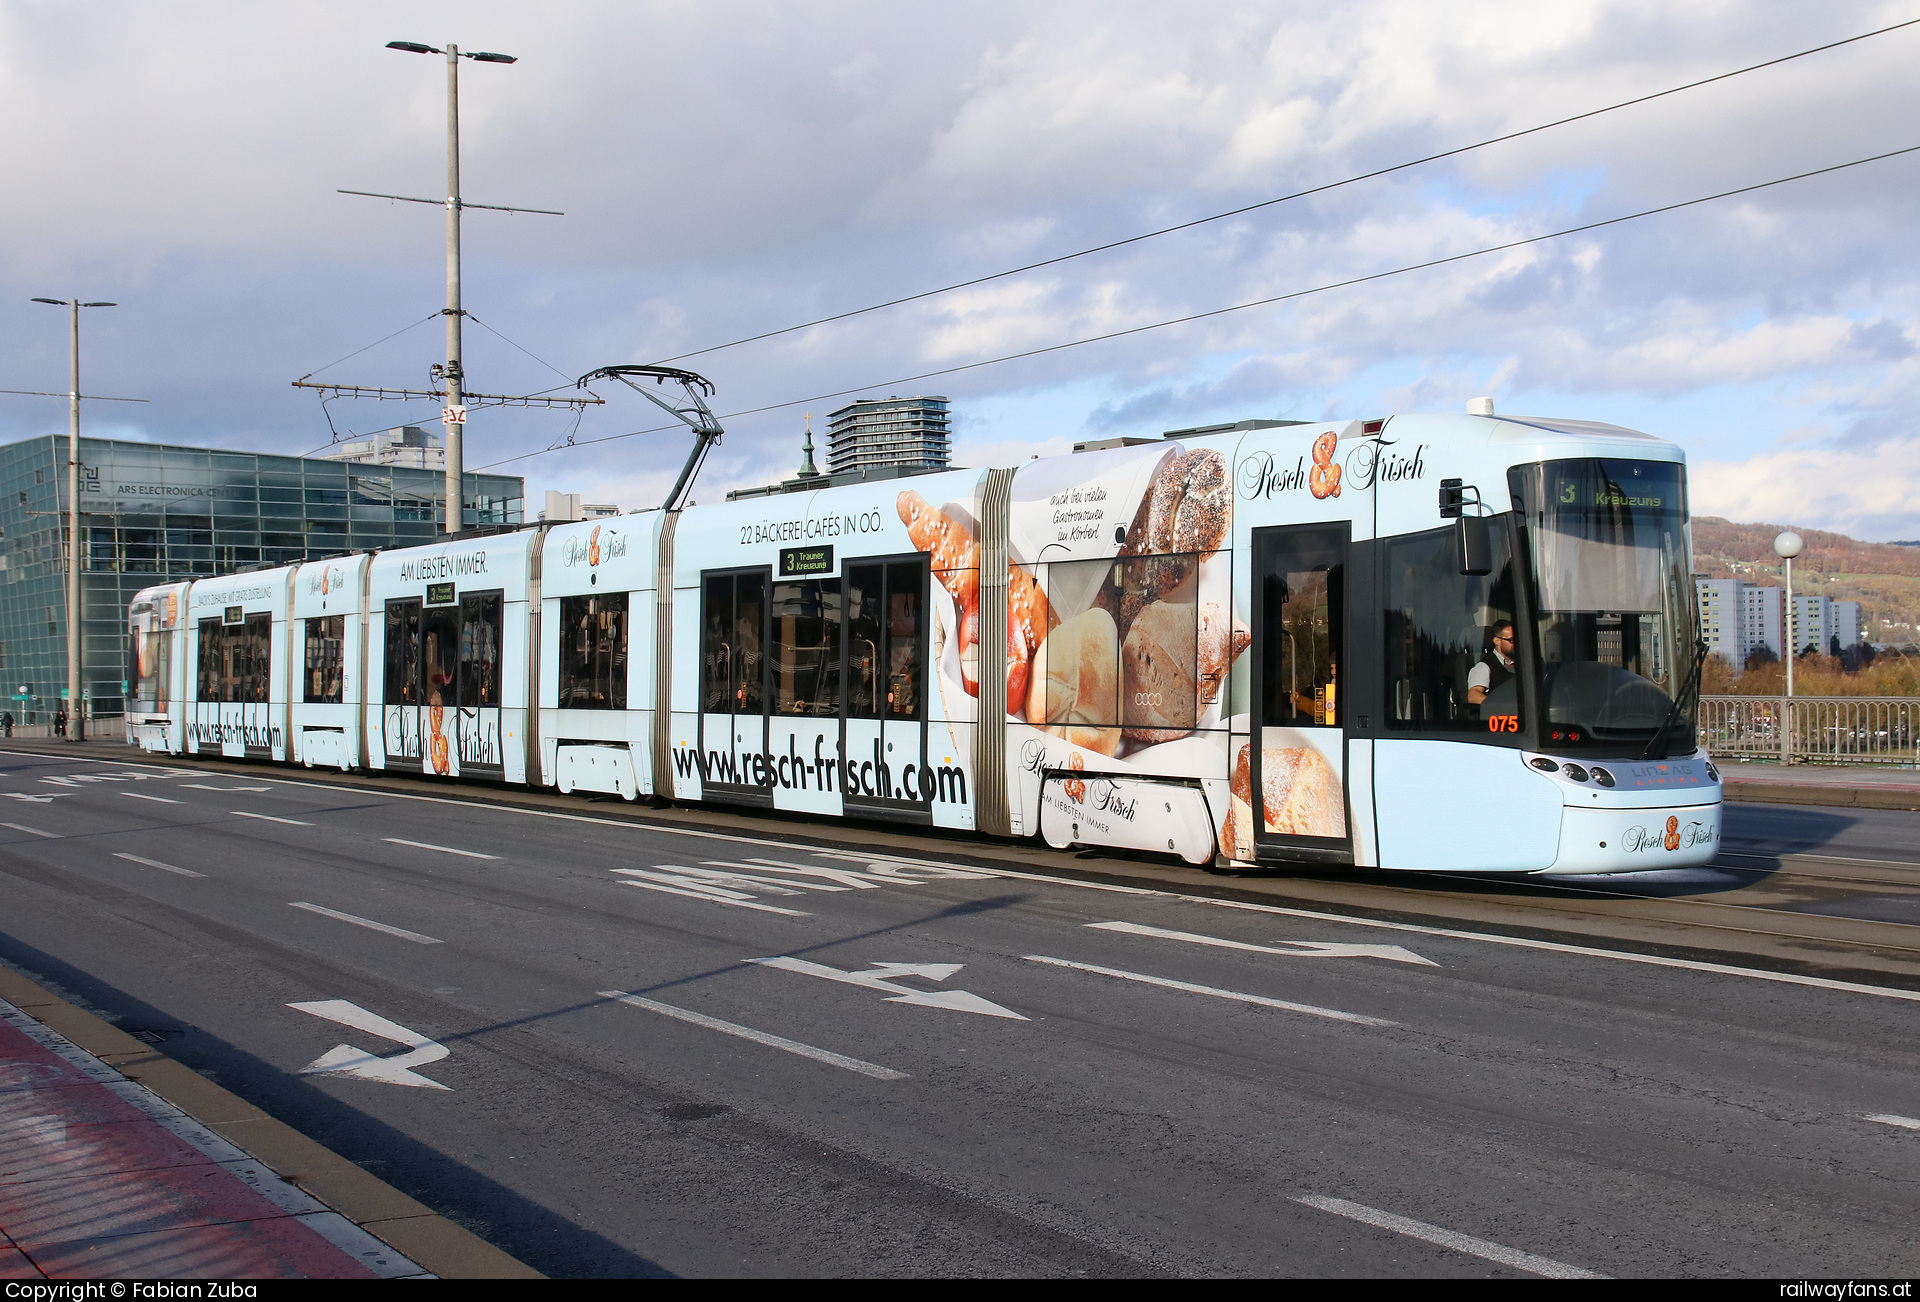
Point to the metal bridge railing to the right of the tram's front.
(1813, 731)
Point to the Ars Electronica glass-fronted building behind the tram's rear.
(155, 514)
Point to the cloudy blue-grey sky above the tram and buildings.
(734, 168)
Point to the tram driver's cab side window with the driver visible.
(1441, 629)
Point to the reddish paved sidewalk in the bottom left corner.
(105, 1180)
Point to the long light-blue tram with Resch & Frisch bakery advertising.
(1429, 642)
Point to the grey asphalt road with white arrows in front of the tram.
(961, 1071)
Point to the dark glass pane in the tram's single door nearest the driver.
(1305, 612)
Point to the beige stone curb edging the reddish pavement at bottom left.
(391, 1217)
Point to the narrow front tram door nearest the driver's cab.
(1295, 777)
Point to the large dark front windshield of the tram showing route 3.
(1614, 600)
